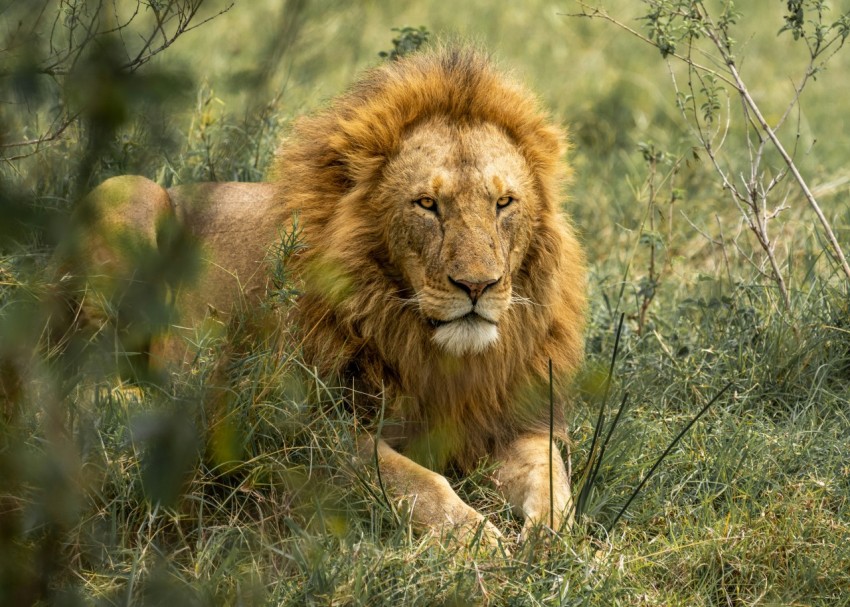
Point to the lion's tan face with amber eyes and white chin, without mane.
(459, 199)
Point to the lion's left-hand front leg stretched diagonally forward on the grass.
(433, 504)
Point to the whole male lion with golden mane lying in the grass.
(438, 273)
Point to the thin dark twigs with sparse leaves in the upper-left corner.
(49, 47)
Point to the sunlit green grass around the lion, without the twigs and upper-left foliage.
(234, 482)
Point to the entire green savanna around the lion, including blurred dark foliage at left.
(232, 482)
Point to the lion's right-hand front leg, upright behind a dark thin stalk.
(524, 479)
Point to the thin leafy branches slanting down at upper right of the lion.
(675, 28)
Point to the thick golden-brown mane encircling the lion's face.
(353, 316)
